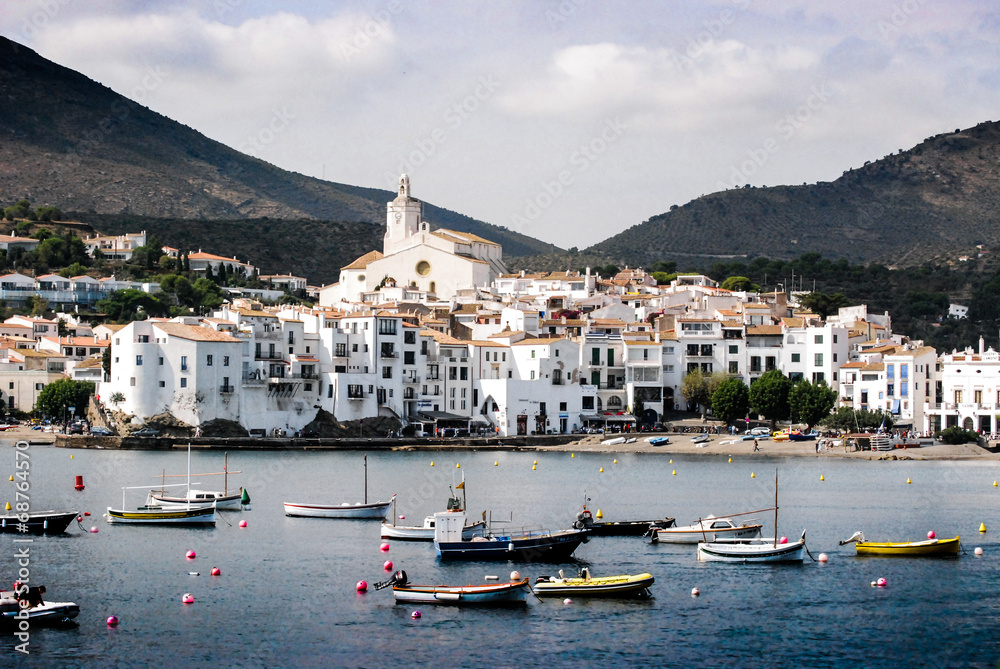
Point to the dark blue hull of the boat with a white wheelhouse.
(546, 547)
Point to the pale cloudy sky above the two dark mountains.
(569, 121)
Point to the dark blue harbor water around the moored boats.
(286, 595)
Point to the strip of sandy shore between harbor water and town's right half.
(726, 445)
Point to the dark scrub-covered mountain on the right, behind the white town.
(938, 198)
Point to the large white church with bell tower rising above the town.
(431, 263)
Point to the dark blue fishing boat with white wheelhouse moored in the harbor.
(524, 545)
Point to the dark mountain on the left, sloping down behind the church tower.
(70, 142)
